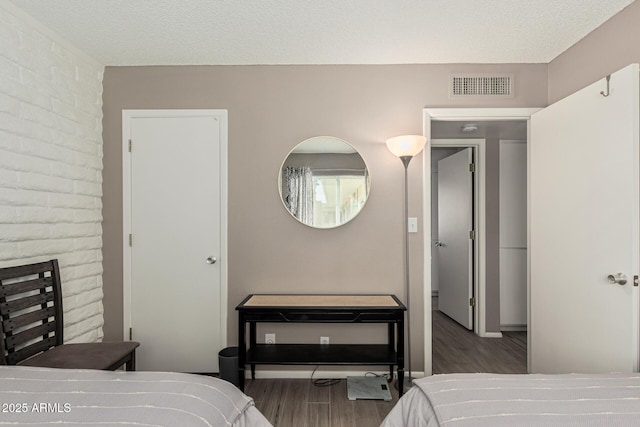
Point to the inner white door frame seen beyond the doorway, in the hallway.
(478, 147)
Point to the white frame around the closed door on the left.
(221, 116)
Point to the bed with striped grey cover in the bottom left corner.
(38, 396)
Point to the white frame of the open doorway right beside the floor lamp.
(458, 114)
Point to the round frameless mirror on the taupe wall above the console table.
(324, 182)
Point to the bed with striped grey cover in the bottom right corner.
(496, 400)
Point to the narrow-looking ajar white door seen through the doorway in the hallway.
(454, 246)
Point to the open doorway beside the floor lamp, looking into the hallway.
(495, 338)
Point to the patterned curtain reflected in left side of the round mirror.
(297, 192)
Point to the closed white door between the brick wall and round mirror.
(176, 298)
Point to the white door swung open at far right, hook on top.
(584, 226)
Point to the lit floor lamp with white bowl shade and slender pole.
(405, 147)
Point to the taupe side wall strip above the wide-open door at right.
(612, 46)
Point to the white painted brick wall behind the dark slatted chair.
(51, 164)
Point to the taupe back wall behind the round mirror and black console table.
(271, 109)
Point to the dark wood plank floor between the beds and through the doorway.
(299, 403)
